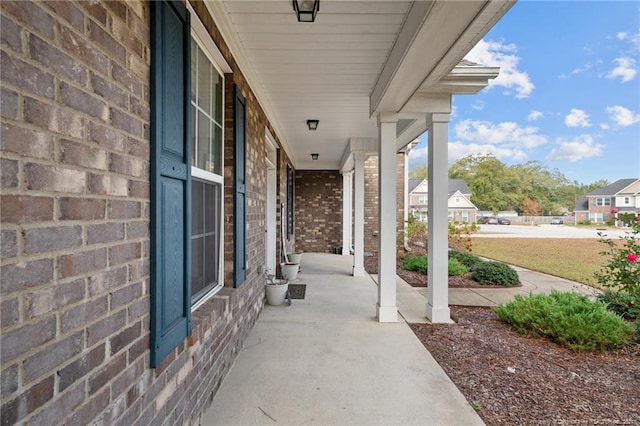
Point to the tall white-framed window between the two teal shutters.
(207, 87)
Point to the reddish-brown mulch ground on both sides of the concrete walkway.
(515, 380)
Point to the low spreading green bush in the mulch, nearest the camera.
(570, 319)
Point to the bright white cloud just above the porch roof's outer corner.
(498, 54)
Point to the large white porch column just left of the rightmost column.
(387, 310)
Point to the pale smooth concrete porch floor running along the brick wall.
(325, 360)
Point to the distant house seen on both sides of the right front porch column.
(460, 207)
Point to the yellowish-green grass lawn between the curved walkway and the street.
(575, 259)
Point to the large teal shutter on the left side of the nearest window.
(170, 178)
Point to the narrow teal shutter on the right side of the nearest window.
(240, 191)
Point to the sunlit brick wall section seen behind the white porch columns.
(371, 205)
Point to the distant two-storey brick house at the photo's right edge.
(604, 204)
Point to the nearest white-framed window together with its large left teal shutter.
(186, 172)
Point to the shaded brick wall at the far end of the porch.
(318, 209)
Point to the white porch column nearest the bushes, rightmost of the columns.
(437, 242)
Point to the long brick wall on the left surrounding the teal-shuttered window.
(75, 225)
